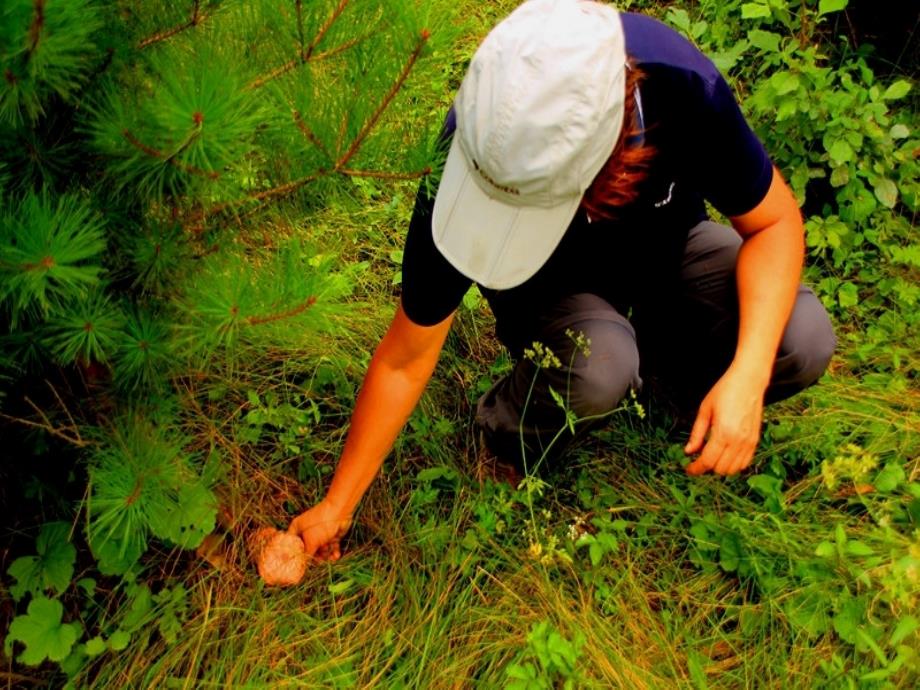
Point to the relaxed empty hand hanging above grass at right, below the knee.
(731, 413)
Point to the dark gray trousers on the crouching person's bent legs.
(684, 342)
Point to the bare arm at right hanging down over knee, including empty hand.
(768, 273)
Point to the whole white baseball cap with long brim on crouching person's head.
(538, 114)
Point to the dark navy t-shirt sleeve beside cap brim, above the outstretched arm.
(431, 287)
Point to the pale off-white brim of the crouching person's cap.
(496, 244)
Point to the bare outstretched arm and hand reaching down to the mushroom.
(396, 377)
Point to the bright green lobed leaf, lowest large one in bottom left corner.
(43, 633)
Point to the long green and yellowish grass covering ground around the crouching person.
(447, 573)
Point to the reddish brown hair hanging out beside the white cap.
(616, 185)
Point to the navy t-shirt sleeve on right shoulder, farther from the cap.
(734, 170)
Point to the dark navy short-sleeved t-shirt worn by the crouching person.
(704, 149)
